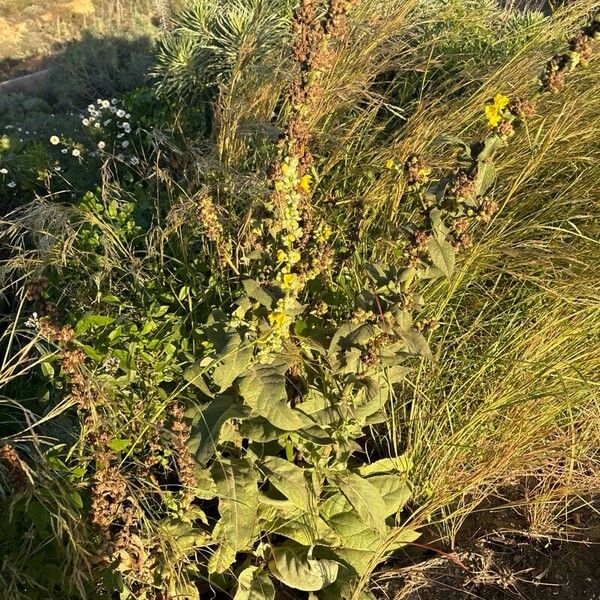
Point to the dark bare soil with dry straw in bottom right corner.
(496, 559)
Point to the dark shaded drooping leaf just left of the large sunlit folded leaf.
(207, 424)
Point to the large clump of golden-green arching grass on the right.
(512, 392)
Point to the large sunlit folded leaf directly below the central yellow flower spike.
(263, 388)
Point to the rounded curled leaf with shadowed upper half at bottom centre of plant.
(292, 566)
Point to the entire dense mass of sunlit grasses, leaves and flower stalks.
(329, 278)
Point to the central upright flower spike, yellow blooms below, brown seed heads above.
(292, 226)
